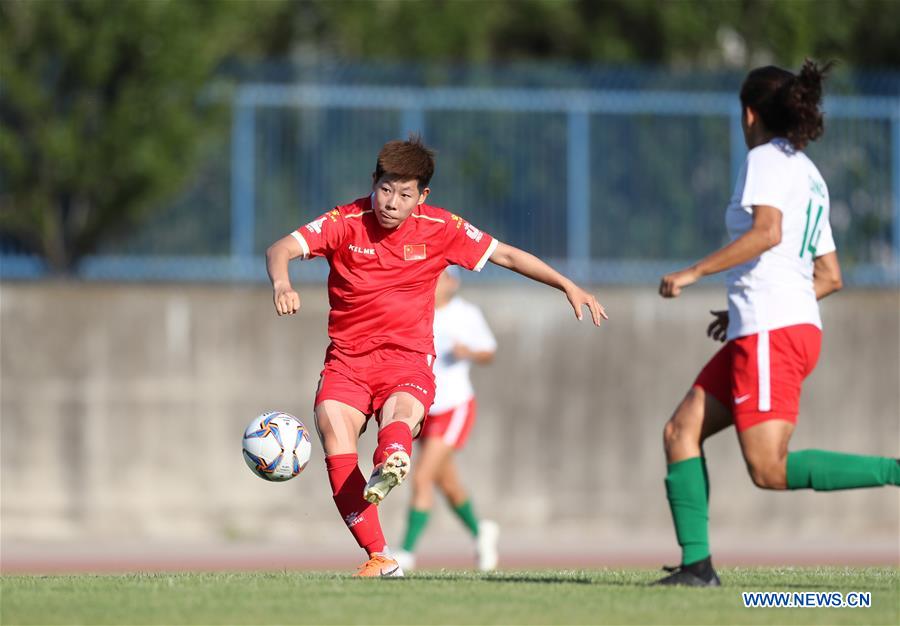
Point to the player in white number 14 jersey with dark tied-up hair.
(780, 261)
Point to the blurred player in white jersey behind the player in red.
(461, 337)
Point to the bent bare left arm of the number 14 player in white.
(764, 235)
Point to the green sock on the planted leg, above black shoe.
(687, 488)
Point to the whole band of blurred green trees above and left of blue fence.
(102, 106)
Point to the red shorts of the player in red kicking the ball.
(365, 381)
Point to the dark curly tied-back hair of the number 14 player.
(788, 104)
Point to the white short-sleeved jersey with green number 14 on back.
(775, 289)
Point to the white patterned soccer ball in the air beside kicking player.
(276, 446)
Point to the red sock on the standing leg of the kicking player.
(361, 517)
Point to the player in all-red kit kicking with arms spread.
(385, 253)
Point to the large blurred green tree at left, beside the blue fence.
(102, 110)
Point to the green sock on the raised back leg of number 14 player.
(828, 471)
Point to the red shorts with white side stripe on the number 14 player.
(758, 377)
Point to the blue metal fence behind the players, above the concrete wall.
(615, 186)
